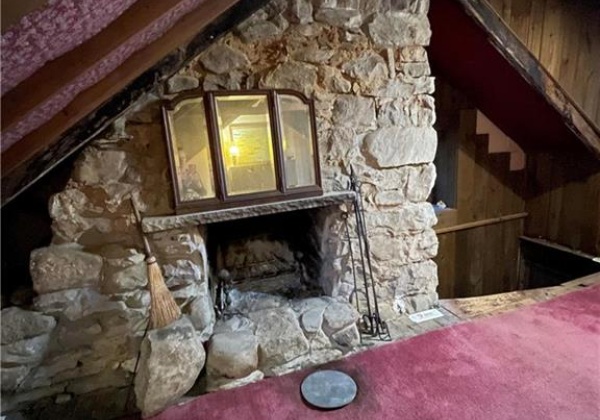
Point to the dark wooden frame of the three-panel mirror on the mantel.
(222, 199)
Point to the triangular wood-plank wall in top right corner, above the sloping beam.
(565, 38)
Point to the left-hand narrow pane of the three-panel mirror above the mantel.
(191, 150)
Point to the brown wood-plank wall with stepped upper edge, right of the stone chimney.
(484, 259)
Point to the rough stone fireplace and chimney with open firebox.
(291, 293)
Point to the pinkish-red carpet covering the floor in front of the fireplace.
(541, 362)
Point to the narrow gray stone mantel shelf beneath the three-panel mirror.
(161, 223)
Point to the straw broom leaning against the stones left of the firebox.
(163, 309)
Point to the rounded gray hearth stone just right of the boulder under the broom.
(232, 355)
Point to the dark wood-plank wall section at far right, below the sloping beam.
(564, 201)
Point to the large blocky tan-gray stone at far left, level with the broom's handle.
(63, 267)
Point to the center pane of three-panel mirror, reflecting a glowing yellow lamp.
(246, 145)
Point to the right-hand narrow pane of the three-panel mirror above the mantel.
(297, 142)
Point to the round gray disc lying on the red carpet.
(328, 389)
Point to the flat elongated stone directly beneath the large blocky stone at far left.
(76, 303)
